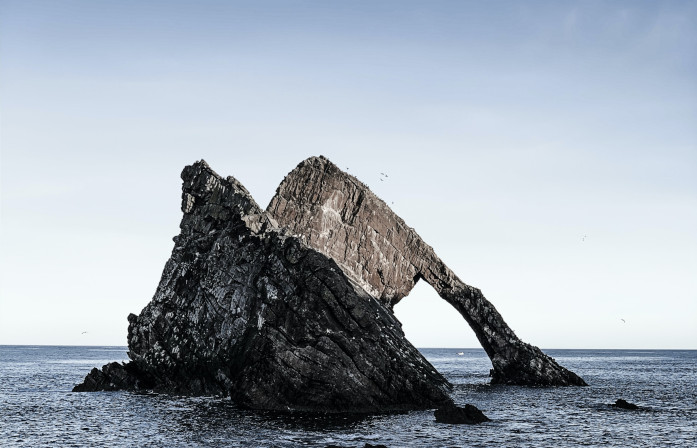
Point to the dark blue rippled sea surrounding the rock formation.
(37, 408)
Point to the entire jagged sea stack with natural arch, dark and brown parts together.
(291, 308)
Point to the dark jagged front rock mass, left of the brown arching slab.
(247, 311)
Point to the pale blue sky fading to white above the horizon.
(547, 151)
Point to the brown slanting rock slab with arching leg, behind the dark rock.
(339, 216)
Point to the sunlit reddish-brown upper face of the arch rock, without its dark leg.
(335, 212)
